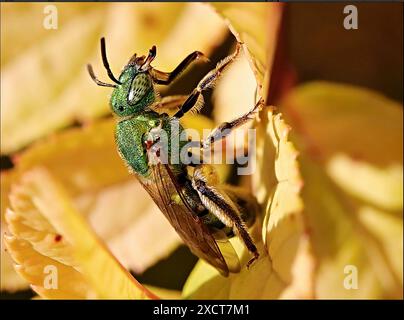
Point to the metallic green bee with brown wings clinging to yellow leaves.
(204, 213)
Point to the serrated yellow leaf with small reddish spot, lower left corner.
(49, 238)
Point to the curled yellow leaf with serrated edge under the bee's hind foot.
(282, 229)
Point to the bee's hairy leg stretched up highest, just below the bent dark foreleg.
(195, 99)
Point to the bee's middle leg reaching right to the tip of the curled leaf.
(225, 128)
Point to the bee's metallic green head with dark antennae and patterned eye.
(134, 90)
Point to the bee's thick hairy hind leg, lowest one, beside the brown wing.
(218, 202)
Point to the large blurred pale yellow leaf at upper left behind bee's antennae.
(57, 90)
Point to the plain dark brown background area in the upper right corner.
(371, 56)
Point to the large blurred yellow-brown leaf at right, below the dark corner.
(350, 140)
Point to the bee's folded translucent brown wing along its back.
(188, 225)
